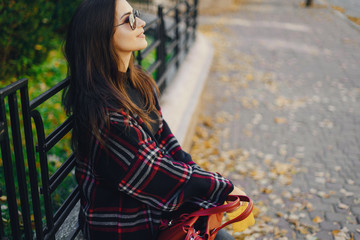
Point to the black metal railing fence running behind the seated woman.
(31, 216)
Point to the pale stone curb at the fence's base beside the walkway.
(180, 99)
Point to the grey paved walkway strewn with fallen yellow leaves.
(281, 116)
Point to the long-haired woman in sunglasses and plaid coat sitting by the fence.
(131, 170)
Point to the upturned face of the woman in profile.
(125, 39)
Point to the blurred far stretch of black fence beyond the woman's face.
(173, 31)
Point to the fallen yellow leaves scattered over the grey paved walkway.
(282, 210)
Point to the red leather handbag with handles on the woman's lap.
(182, 228)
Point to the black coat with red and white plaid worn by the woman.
(127, 187)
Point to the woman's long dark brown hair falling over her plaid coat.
(96, 85)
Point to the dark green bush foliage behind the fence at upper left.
(28, 31)
